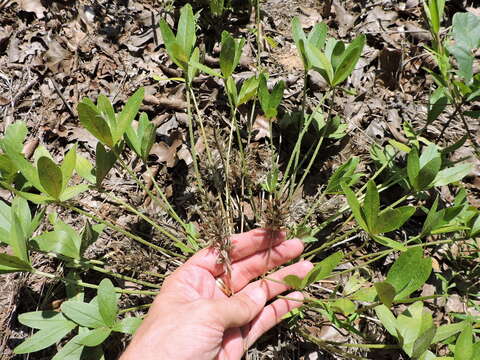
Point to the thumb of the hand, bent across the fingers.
(241, 308)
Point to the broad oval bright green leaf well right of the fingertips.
(404, 280)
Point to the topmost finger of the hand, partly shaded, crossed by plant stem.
(243, 245)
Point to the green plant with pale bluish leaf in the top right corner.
(457, 84)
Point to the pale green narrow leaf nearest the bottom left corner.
(44, 338)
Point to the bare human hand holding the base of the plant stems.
(191, 318)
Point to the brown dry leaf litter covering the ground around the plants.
(54, 53)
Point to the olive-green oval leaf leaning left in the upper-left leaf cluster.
(94, 122)
